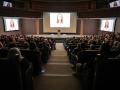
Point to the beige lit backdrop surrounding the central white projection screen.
(48, 29)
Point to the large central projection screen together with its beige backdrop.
(64, 21)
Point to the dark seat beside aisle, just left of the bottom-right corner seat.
(85, 67)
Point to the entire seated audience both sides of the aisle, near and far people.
(106, 44)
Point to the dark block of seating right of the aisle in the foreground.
(95, 71)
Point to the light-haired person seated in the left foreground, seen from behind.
(19, 68)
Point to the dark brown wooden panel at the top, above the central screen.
(62, 6)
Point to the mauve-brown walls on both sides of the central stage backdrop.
(29, 26)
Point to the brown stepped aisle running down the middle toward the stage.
(58, 75)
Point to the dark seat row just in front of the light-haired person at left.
(36, 57)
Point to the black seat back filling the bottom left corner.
(10, 74)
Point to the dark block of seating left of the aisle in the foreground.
(15, 77)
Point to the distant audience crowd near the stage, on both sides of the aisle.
(106, 43)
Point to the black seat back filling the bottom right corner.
(107, 75)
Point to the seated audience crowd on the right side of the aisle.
(107, 45)
